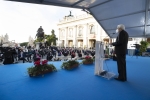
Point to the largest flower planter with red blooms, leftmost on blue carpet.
(40, 68)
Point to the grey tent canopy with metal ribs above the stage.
(134, 14)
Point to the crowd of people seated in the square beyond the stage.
(11, 55)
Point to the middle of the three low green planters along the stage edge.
(68, 65)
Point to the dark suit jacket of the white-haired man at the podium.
(121, 43)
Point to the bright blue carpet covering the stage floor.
(77, 84)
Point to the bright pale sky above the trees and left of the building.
(21, 20)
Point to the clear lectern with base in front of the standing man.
(99, 62)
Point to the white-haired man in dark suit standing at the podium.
(120, 51)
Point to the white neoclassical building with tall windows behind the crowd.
(80, 31)
